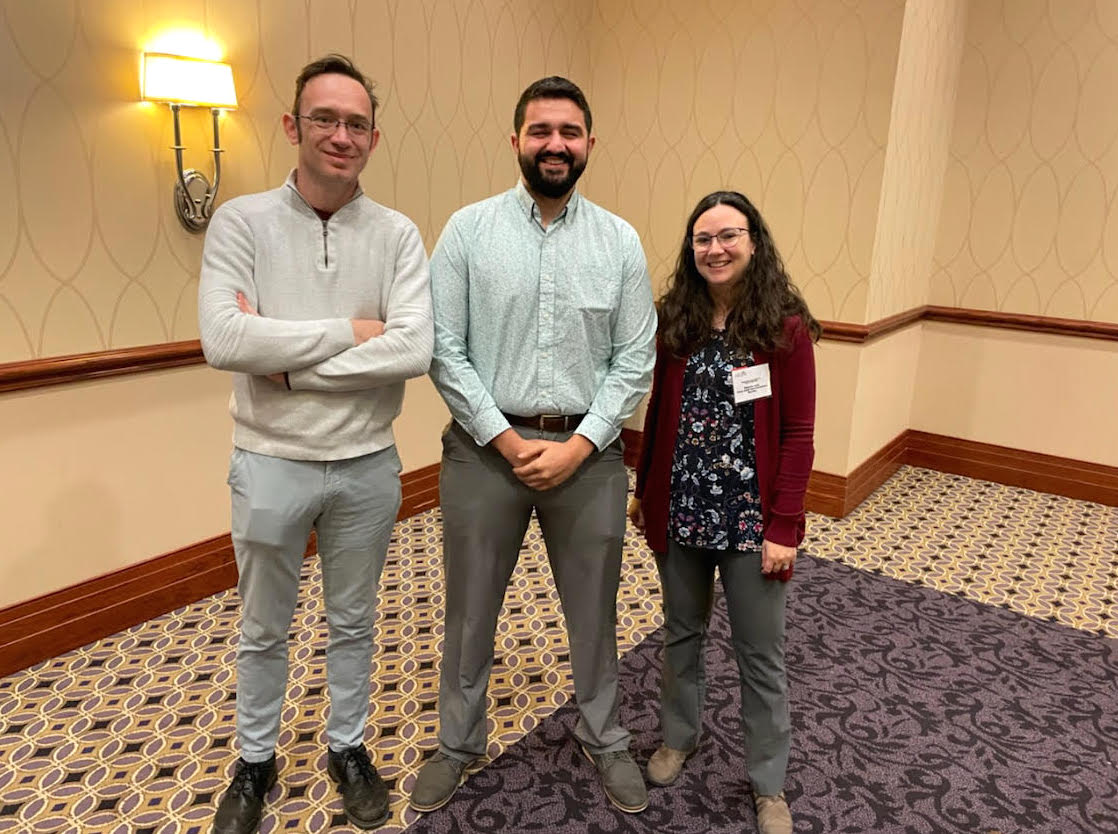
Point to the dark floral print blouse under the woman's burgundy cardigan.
(715, 499)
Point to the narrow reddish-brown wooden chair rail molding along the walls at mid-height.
(80, 367)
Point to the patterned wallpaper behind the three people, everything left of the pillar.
(787, 101)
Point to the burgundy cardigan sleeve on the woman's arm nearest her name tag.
(797, 452)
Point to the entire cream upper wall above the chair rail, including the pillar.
(791, 101)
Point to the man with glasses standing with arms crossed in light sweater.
(318, 299)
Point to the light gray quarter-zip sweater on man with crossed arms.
(308, 279)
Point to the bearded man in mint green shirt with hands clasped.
(544, 347)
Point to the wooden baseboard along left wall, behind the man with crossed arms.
(46, 627)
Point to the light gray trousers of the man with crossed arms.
(353, 506)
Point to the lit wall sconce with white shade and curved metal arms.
(181, 81)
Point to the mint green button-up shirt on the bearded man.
(533, 320)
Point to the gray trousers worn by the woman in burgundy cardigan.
(756, 608)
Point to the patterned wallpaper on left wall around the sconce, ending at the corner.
(92, 257)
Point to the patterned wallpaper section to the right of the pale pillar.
(1030, 217)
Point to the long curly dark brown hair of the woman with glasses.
(761, 301)
